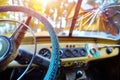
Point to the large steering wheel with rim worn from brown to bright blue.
(9, 46)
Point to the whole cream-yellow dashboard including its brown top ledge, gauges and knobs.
(74, 51)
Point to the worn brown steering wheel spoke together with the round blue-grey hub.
(9, 46)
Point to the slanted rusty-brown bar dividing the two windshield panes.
(76, 13)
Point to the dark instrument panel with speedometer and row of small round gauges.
(65, 52)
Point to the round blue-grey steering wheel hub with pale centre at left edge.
(4, 46)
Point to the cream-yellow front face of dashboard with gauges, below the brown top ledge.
(79, 53)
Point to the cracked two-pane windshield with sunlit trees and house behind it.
(96, 18)
